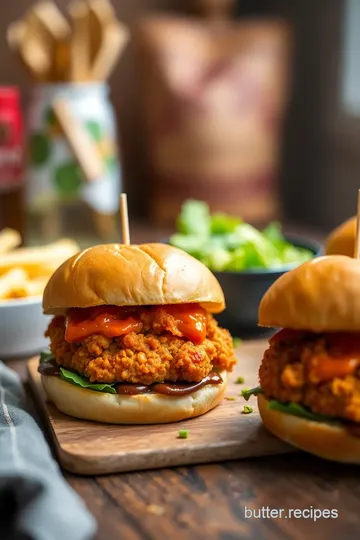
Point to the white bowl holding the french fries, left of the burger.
(22, 327)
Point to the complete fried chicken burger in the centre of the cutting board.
(133, 338)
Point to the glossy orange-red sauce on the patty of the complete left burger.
(115, 321)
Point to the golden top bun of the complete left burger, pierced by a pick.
(131, 275)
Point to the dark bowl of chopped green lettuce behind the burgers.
(245, 260)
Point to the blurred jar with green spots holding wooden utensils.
(57, 193)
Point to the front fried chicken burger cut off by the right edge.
(309, 393)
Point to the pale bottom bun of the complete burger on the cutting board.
(139, 409)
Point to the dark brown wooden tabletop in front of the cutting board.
(209, 501)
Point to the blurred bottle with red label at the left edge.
(11, 160)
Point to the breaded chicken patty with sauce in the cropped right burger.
(312, 371)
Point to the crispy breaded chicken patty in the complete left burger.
(155, 354)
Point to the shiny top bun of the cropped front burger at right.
(321, 295)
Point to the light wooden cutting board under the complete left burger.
(224, 433)
